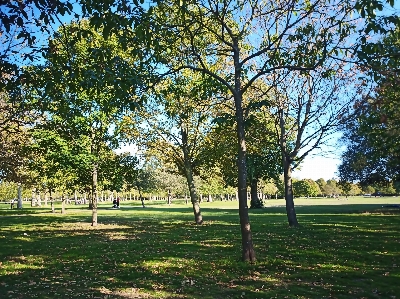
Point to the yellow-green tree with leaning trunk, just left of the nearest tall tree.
(176, 125)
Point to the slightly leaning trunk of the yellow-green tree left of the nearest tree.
(198, 218)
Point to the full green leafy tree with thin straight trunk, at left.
(85, 86)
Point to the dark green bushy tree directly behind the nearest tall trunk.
(262, 160)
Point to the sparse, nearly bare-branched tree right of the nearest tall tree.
(309, 107)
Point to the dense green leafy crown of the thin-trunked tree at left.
(81, 88)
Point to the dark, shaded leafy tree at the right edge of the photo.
(372, 154)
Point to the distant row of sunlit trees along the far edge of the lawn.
(160, 185)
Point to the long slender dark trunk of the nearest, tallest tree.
(248, 253)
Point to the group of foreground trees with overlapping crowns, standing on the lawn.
(244, 90)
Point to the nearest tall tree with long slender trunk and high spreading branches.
(253, 39)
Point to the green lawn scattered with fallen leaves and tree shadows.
(344, 249)
